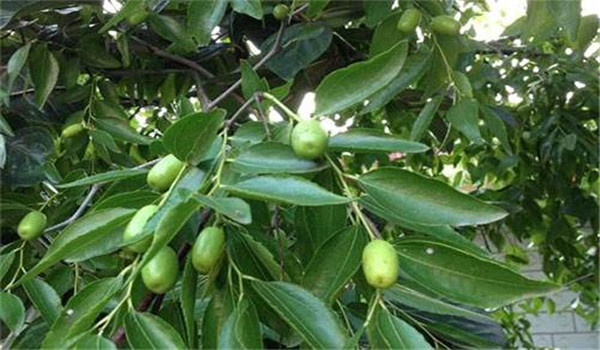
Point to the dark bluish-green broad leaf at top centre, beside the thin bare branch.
(301, 45)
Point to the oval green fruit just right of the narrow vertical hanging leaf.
(208, 248)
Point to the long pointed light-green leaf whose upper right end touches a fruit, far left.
(95, 234)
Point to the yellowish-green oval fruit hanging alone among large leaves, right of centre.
(380, 264)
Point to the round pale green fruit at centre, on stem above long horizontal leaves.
(309, 140)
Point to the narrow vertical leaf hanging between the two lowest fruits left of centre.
(188, 301)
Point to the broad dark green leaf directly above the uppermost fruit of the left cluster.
(190, 138)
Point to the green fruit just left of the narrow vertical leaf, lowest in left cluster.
(160, 273)
